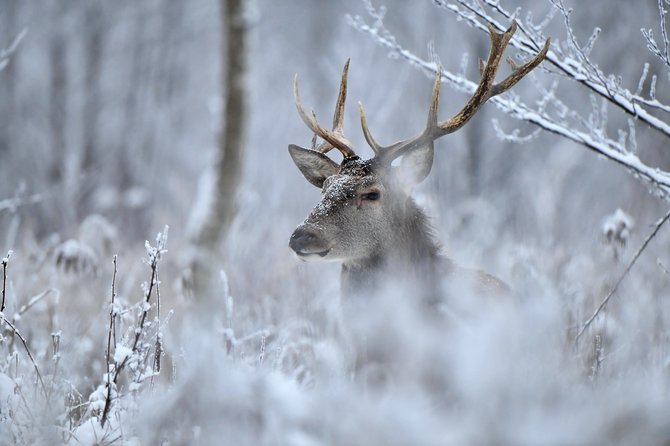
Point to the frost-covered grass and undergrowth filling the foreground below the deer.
(239, 369)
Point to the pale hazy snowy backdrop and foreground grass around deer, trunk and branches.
(109, 115)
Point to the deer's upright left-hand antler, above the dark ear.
(334, 139)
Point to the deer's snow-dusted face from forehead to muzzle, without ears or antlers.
(353, 220)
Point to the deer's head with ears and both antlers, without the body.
(366, 209)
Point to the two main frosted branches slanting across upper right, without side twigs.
(559, 123)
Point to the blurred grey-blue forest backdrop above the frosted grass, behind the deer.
(115, 109)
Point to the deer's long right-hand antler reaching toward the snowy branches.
(485, 90)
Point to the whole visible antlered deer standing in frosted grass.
(366, 218)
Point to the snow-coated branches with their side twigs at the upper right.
(569, 60)
